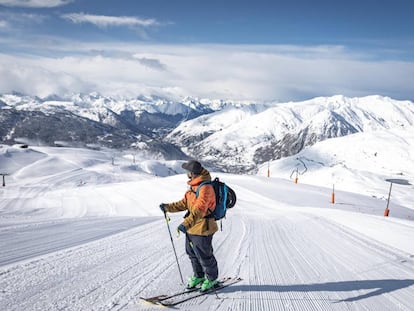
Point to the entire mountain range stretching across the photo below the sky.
(231, 136)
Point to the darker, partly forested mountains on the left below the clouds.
(94, 120)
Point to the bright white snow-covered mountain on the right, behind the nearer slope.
(239, 139)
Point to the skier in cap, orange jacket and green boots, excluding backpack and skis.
(198, 228)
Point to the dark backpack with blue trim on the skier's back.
(225, 198)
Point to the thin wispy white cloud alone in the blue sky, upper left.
(109, 21)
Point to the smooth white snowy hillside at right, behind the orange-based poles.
(358, 163)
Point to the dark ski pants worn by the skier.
(200, 250)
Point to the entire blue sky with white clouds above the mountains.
(249, 50)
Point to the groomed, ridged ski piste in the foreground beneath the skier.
(288, 259)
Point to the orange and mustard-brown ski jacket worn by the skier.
(198, 207)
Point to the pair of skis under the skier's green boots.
(162, 299)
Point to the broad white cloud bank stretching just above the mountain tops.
(280, 73)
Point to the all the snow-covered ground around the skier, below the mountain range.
(81, 230)
